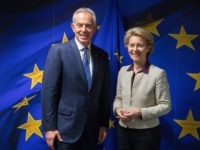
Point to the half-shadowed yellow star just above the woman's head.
(150, 24)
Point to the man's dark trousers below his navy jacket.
(82, 144)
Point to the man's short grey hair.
(84, 10)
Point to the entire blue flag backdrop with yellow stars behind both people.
(29, 29)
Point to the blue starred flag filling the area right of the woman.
(175, 27)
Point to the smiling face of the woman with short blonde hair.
(138, 49)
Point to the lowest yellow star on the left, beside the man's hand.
(31, 126)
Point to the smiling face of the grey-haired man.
(84, 28)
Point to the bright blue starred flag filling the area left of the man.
(28, 30)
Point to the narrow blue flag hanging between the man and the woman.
(110, 38)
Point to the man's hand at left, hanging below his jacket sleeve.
(51, 136)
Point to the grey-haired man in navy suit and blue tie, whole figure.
(75, 113)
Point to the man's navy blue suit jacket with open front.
(67, 105)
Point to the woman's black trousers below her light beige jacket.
(138, 139)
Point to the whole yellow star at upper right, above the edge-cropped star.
(184, 39)
